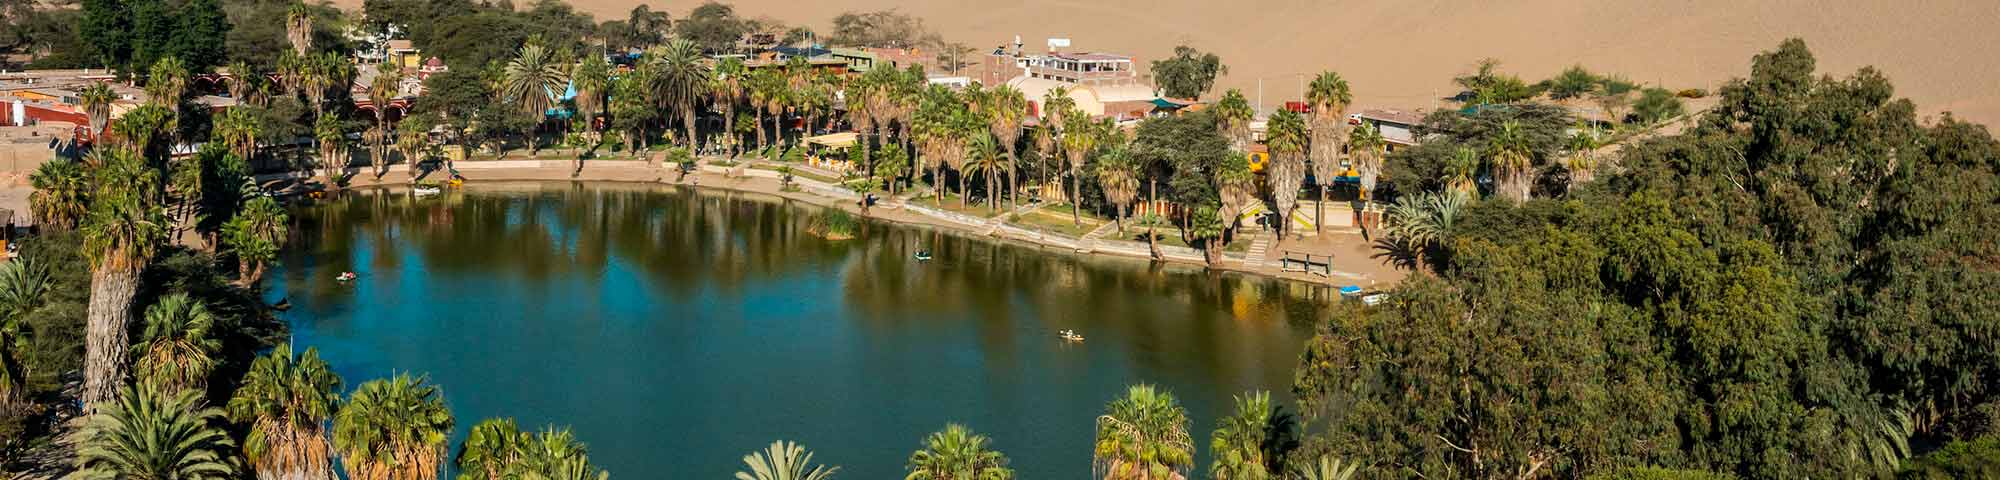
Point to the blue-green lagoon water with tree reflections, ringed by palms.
(677, 331)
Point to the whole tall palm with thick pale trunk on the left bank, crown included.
(121, 235)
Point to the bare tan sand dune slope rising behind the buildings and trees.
(1405, 53)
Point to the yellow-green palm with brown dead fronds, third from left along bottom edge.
(393, 429)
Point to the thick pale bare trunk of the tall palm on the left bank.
(107, 339)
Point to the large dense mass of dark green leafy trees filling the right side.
(1771, 281)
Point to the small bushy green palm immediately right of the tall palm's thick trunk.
(177, 353)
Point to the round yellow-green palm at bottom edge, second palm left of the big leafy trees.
(1143, 437)
